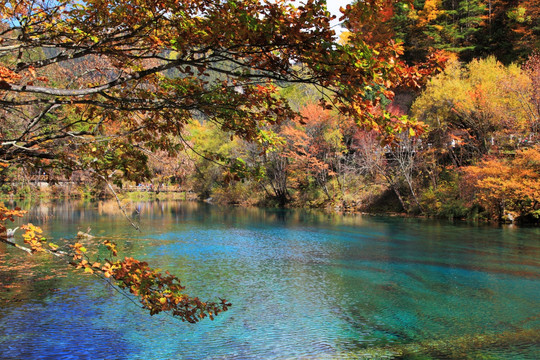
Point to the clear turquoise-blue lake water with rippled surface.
(303, 285)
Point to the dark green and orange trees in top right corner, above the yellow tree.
(472, 29)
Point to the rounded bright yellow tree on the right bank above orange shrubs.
(477, 105)
